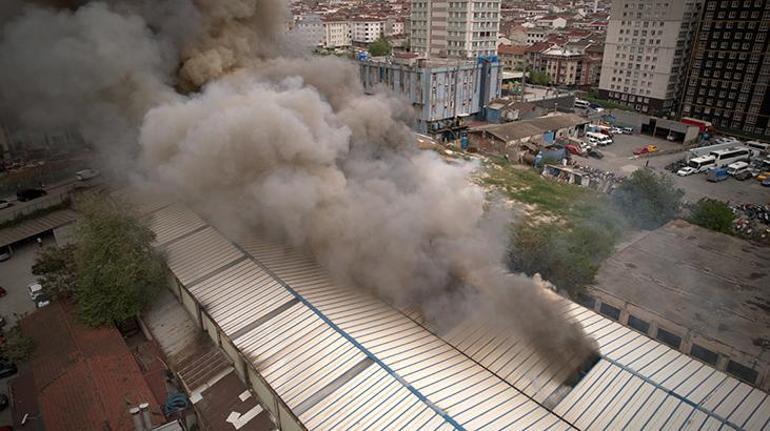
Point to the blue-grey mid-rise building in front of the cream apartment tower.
(442, 92)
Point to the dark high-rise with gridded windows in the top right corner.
(730, 72)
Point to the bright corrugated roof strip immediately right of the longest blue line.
(469, 393)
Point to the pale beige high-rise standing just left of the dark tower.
(647, 53)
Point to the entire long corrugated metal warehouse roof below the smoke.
(342, 358)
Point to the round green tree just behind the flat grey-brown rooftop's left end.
(648, 200)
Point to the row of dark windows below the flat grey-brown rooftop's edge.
(675, 341)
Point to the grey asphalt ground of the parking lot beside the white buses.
(619, 158)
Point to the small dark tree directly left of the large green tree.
(55, 268)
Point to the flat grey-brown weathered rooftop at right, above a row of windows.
(713, 284)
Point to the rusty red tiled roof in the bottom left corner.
(86, 378)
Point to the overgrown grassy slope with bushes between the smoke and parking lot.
(568, 253)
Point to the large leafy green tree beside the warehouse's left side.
(118, 270)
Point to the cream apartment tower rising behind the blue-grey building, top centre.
(464, 29)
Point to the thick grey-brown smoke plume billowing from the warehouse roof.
(289, 145)
